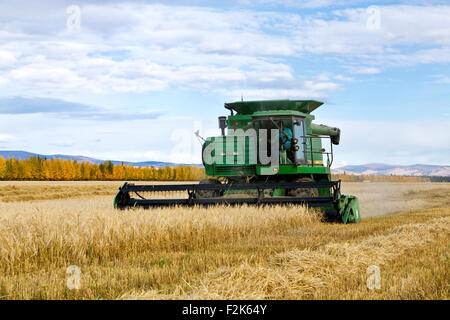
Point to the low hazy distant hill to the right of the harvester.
(386, 169)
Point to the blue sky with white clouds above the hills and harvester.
(133, 80)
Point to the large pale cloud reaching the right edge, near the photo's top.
(347, 31)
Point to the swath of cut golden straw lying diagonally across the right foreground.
(313, 273)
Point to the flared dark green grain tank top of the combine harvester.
(250, 107)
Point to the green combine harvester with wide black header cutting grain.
(272, 154)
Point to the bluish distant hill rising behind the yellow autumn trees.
(22, 155)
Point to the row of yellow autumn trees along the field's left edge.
(36, 168)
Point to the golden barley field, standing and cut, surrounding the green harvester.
(222, 252)
